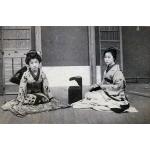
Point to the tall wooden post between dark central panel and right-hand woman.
(92, 54)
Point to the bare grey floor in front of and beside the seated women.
(81, 116)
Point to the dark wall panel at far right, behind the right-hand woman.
(136, 52)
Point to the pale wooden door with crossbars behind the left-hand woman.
(16, 43)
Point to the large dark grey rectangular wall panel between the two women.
(65, 46)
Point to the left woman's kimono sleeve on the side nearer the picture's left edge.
(22, 88)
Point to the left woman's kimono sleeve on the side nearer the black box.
(46, 88)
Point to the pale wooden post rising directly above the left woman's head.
(38, 45)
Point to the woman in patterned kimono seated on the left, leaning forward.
(34, 93)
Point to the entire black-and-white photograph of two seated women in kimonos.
(74, 75)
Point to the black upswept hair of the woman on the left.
(32, 54)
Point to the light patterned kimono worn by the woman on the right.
(112, 93)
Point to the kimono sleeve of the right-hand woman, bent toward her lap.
(118, 82)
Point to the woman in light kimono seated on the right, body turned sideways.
(110, 93)
